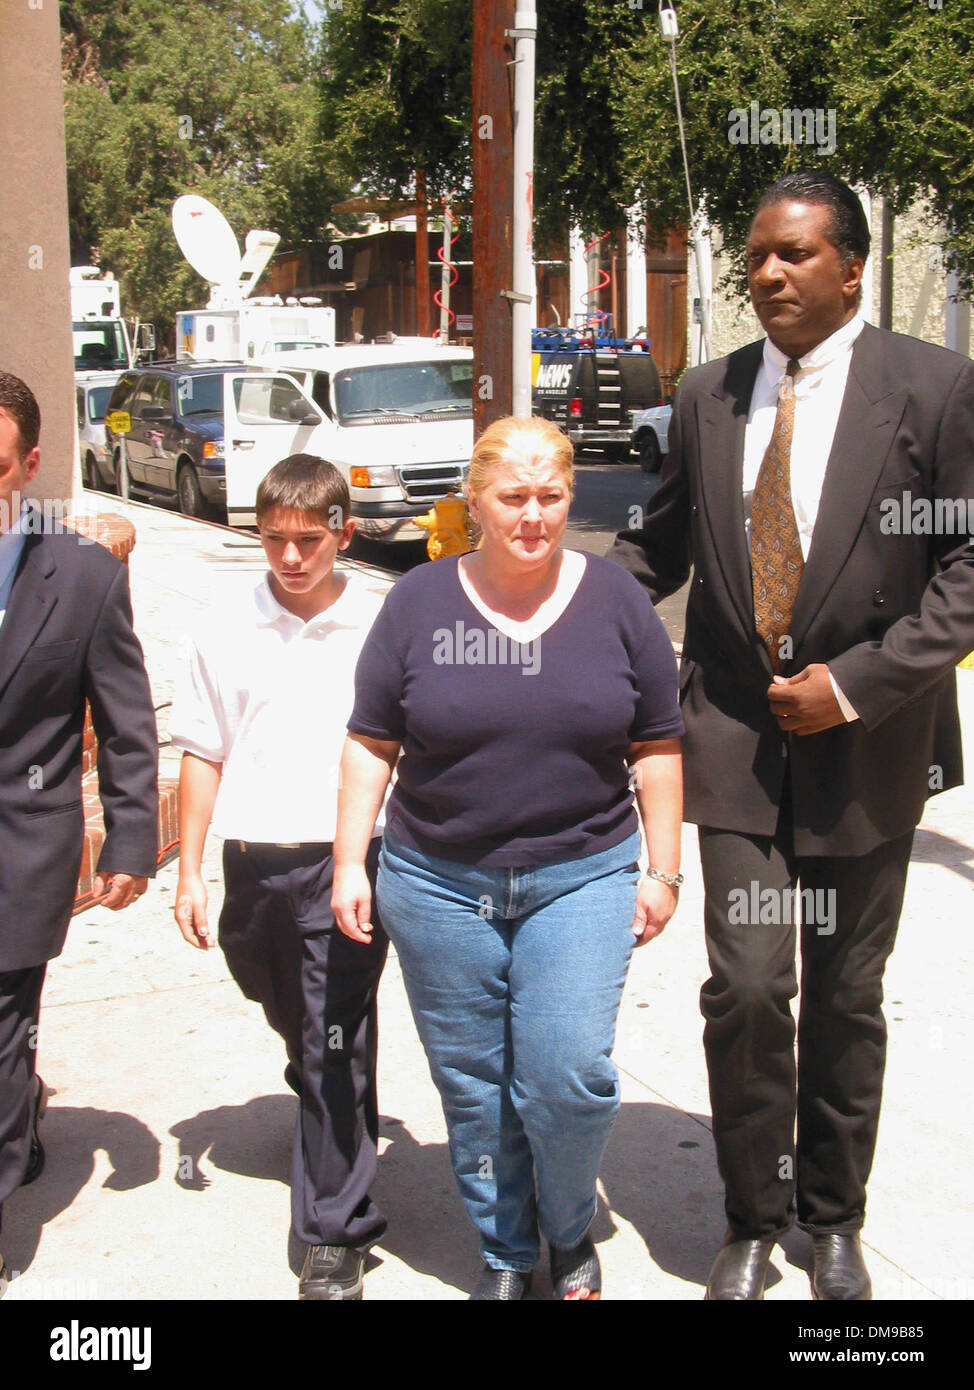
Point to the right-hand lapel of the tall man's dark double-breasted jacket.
(865, 433)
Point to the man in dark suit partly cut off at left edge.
(66, 637)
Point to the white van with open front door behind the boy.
(397, 420)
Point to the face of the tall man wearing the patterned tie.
(798, 286)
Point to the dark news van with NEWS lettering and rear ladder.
(593, 384)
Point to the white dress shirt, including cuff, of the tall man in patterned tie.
(819, 390)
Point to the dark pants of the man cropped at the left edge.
(20, 1008)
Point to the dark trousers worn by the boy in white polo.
(319, 992)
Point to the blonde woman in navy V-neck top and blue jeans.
(529, 690)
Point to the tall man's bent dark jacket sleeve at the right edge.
(923, 647)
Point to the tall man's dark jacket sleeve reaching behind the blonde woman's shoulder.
(659, 551)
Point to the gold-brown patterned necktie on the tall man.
(776, 551)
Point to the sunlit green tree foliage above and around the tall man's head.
(897, 74)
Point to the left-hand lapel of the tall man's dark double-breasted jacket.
(723, 419)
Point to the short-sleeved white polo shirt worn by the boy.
(269, 697)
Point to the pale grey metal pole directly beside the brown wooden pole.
(523, 300)
